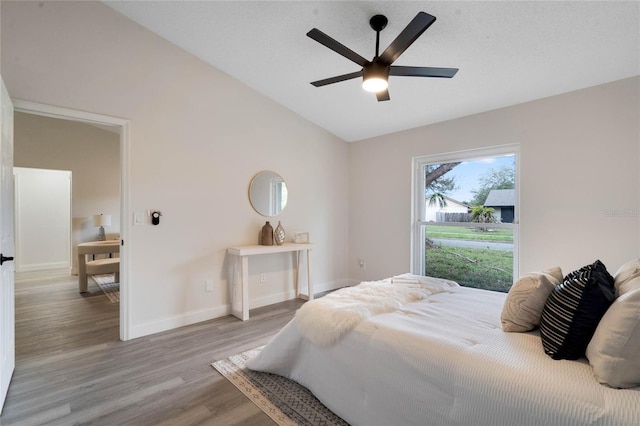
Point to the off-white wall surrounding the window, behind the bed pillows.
(579, 175)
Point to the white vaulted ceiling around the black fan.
(508, 52)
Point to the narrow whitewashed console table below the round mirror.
(240, 293)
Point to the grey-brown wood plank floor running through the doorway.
(71, 367)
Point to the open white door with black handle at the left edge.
(7, 314)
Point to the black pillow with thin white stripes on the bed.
(573, 309)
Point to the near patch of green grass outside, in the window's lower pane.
(471, 267)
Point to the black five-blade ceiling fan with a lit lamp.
(376, 72)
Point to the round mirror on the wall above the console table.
(268, 193)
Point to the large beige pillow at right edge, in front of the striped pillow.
(614, 349)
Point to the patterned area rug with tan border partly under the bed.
(284, 400)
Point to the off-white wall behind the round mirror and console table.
(197, 138)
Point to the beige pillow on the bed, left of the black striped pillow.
(523, 308)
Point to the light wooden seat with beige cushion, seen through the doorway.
(97, 266)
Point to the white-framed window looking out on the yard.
(465, 217)
